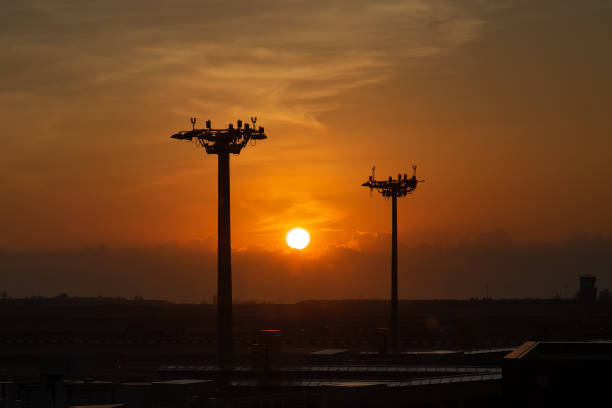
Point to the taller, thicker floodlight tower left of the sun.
(222, 142)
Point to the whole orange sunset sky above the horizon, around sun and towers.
(505, 106)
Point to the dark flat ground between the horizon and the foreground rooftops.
(130, 339)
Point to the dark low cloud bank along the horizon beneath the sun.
(356, 270)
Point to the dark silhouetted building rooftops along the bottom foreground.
(536, 374)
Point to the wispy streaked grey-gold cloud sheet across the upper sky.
(286, 59)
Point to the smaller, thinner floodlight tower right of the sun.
(399, 187)
